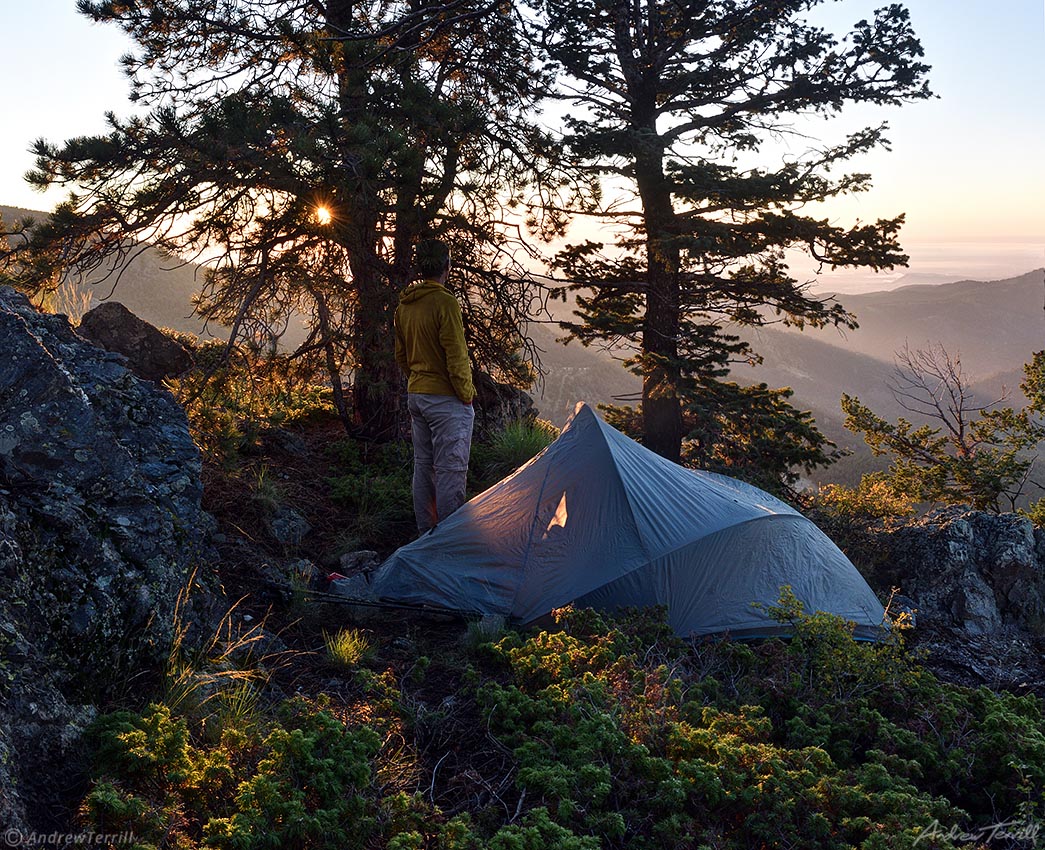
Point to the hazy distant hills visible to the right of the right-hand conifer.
(993, 327)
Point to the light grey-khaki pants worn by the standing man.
(442, 427)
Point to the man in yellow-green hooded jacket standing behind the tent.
(431, 351)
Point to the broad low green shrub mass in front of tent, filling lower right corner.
(819, 742)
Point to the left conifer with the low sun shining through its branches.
(300, 149)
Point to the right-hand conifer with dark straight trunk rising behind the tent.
(675, 105)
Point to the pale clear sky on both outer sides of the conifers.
(967, 169)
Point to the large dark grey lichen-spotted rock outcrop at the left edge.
(101, 526)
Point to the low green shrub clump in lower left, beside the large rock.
(306, 785)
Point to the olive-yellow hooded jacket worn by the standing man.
(430, 344)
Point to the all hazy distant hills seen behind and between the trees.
(994, 326)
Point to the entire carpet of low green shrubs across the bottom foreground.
(609, 733)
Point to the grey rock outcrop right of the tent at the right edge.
(963, 569)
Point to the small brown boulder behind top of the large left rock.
(151, 354)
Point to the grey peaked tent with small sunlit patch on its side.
(599, 521)
